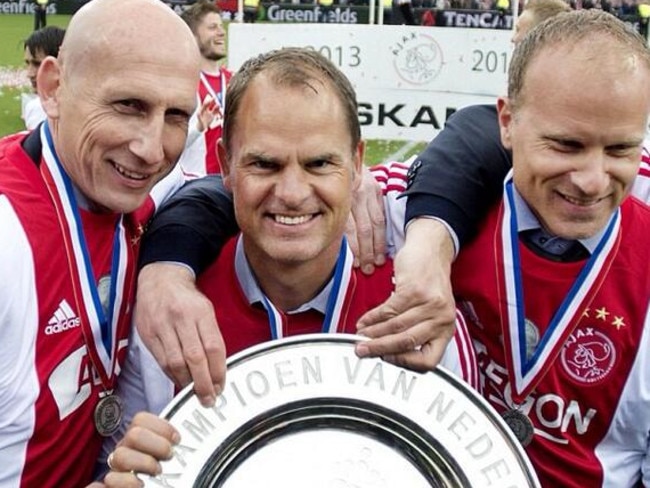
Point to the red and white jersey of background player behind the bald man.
(200, 154)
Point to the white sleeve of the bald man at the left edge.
(19, 385)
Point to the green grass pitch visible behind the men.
(15, 28)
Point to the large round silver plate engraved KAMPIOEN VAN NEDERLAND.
(307, 412)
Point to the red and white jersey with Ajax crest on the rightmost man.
(591, 407)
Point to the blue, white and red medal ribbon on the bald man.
(100, 332)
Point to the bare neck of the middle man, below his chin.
(290, 285)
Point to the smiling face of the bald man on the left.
(119, 107)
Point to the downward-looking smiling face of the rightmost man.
(575, 151)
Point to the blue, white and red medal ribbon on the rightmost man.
(525, 373)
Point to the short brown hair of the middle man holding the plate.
(291, 67)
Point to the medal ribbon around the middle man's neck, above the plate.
(335, 301)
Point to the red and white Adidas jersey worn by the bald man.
(49, 386)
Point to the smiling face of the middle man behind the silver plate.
(292, 171)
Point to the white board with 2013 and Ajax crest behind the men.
(409, 79)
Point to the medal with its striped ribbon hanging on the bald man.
(102, 305)
